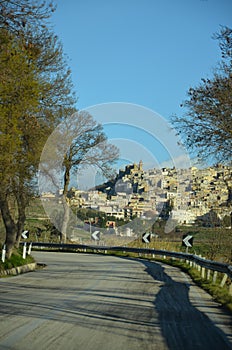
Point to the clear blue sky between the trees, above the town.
(142, 52)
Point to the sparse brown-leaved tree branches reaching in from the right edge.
(206, 127)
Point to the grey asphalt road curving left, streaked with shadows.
(96, 302)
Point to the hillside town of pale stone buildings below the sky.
(187, 195)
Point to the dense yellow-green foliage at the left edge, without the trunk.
(19, 91)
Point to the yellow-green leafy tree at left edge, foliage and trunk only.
(19, 100)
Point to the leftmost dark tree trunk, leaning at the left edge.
(10, 226)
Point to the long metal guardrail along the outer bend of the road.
(207, 264)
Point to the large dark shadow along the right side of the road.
(183, 326)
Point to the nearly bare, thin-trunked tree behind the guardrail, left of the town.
(78, 142)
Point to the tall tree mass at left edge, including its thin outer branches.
(36, 92)
